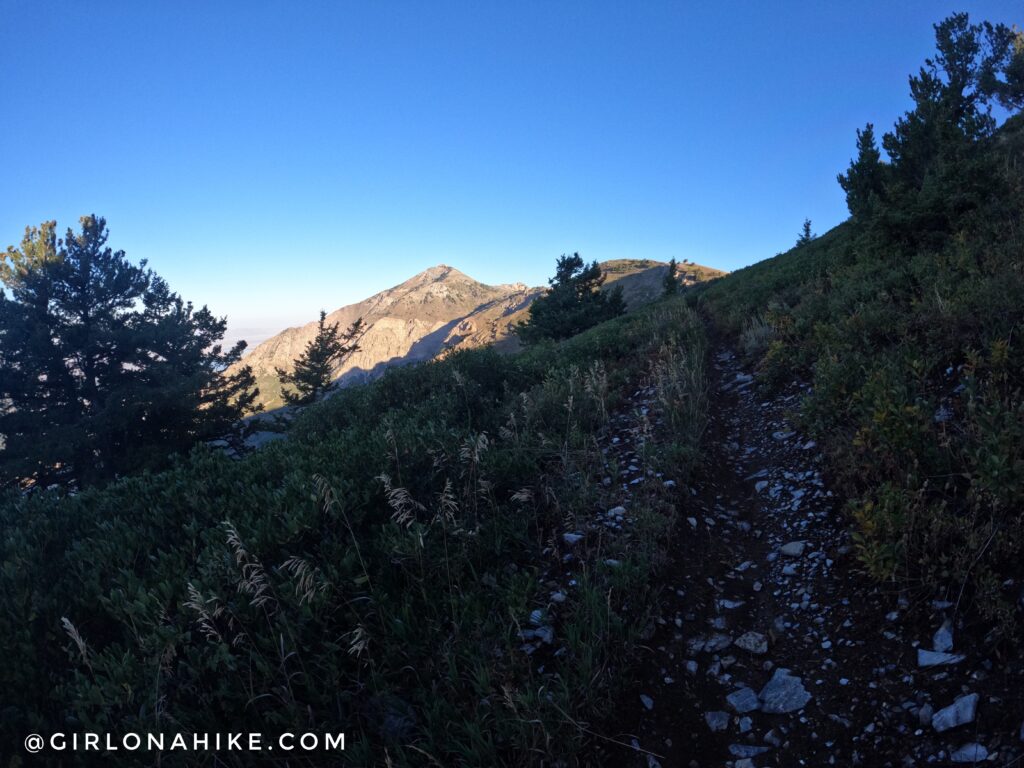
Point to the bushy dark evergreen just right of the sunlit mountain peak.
(574, 304)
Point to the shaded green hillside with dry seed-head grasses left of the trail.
(372, 574)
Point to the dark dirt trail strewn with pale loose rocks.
(773, 649)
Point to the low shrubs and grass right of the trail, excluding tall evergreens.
(913, 345)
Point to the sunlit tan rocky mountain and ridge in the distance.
(438, 311)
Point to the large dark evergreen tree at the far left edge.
(103, 370)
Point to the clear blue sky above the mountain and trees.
(274, 158)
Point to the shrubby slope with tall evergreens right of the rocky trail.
(909, 320)
